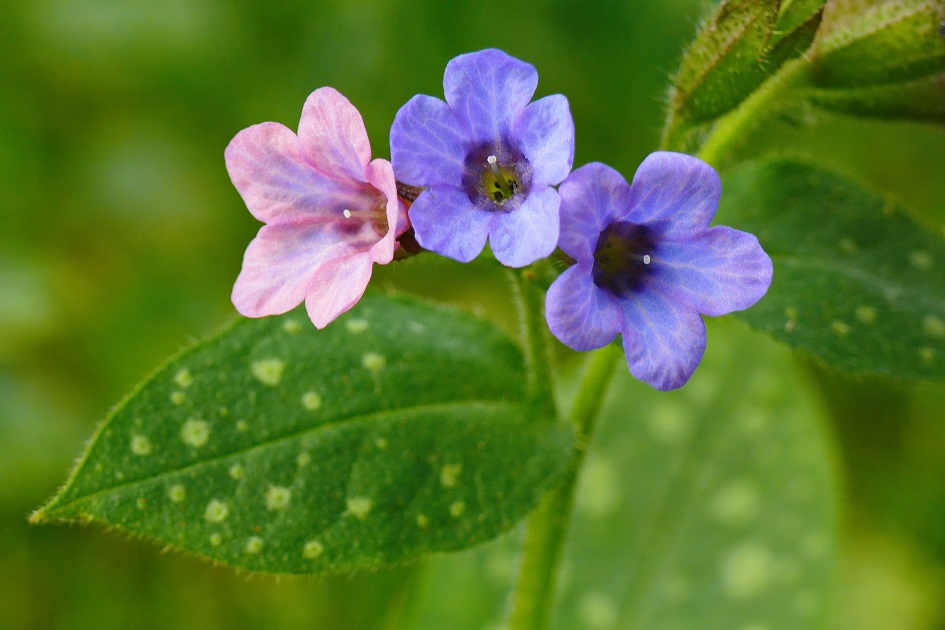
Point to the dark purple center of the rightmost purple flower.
(623, 257)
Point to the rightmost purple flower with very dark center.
(648, 264)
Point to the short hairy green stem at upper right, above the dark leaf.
(735, 127)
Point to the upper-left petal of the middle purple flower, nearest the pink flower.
(427, 146)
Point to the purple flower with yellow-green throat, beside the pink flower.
(487, 160)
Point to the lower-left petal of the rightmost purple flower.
(579, 314)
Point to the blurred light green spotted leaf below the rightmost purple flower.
(711, 507)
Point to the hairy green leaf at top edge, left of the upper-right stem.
(725, 62)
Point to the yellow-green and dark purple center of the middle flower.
(497, 177)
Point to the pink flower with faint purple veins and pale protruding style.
(330, 212)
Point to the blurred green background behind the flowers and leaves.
(121, 237)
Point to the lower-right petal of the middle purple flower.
(529, 232)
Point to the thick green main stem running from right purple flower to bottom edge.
(547, 526)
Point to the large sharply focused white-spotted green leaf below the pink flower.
(399, 430)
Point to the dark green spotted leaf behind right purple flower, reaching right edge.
(856, 283)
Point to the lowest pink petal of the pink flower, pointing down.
(336, 287)
